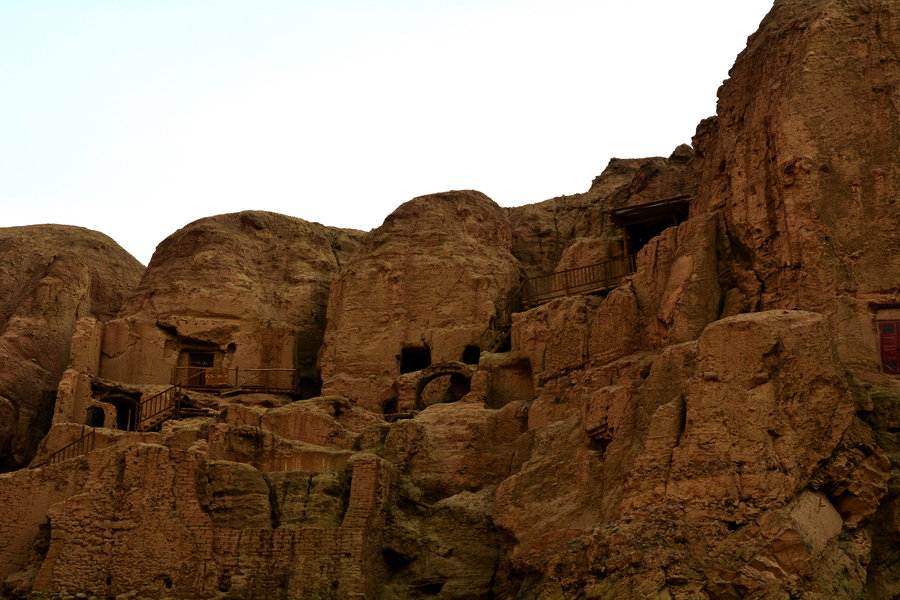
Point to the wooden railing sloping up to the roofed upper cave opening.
(580, 280)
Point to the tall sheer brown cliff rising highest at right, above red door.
(801, 162)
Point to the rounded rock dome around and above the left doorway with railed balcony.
(248, 288)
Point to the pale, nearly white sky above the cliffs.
(137, 117)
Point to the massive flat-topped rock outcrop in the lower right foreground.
(710, 457)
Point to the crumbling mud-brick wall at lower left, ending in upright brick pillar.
(131, 519)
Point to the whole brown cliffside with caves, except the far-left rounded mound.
(677, 385)
